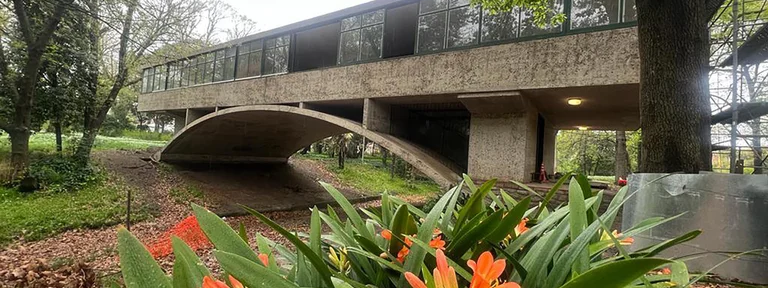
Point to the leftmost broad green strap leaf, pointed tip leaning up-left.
(139, 268)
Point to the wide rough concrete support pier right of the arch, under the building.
(502, 146)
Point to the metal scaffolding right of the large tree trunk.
(739, 86)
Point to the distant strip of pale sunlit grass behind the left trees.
(46, 143)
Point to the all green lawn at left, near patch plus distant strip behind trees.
(95, 202)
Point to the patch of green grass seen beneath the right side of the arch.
(372, 177)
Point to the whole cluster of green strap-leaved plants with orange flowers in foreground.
(565, 247)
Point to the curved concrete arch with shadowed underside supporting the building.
(272, 133)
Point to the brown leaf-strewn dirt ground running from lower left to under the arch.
(291, 186)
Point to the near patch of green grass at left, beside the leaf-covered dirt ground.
(39, 215)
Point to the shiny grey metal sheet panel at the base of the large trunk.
(732, 211)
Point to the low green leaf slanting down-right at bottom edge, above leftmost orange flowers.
(252, 275)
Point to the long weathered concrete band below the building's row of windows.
(598, 58)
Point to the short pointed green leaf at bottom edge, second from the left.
(188, 270)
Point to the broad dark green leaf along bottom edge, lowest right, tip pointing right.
(615, 275)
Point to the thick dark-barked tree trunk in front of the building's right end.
(674, 96)
